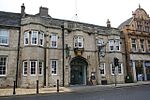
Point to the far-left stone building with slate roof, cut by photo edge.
(9, 39)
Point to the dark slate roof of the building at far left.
(10, 19)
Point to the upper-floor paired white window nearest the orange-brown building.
(114, 45)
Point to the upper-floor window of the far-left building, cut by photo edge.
(4, 35)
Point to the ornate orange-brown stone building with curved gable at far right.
(136, 31)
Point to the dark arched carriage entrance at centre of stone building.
(78, 73)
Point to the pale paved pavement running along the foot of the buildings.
(79, 88)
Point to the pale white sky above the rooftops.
(88, 11)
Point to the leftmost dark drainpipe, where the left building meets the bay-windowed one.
(18, 53)
